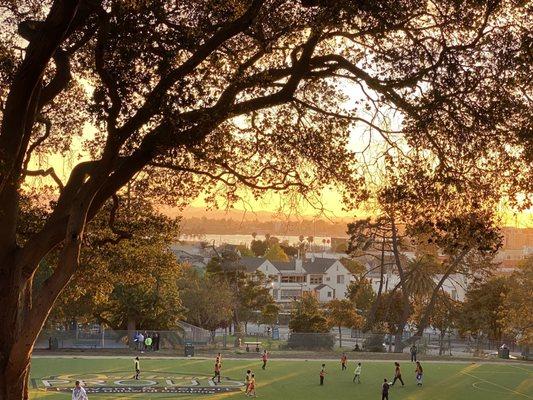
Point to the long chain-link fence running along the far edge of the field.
(276, 339)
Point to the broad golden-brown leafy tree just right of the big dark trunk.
(129, 282)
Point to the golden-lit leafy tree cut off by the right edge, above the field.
(516, 315)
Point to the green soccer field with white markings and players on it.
(283, 379)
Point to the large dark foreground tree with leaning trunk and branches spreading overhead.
(241, 92)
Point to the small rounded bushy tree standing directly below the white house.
(308, 317)
